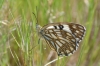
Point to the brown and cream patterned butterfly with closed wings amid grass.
(63, 37)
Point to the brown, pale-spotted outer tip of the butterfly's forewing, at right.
(77, 30)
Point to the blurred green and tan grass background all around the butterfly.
(18, 31)
